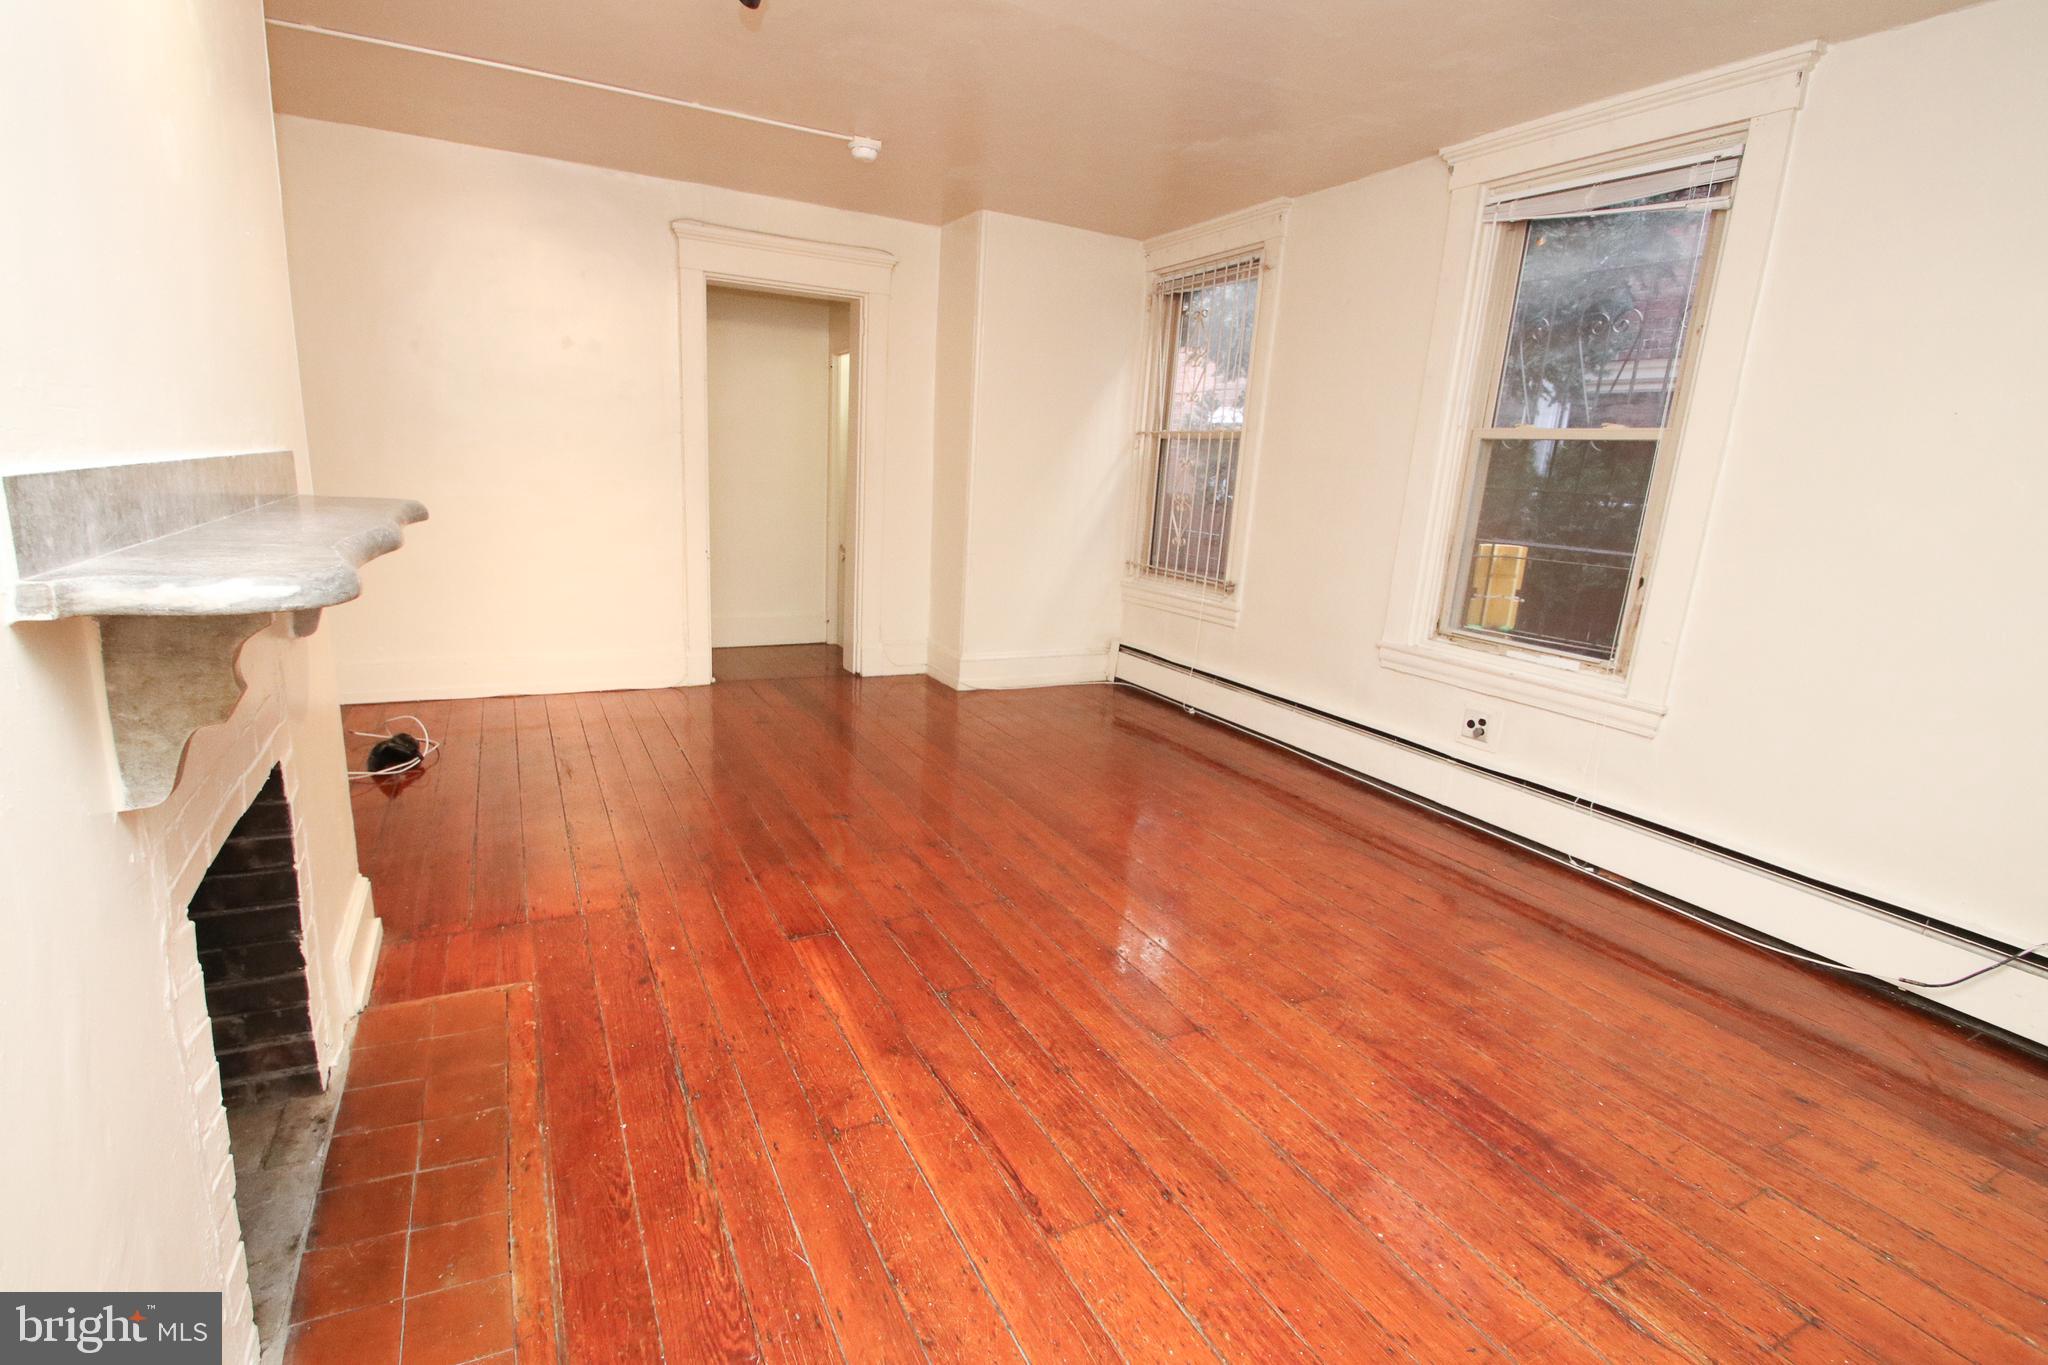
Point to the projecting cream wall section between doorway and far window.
(1039, 328)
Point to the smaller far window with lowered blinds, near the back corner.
(1197, 396)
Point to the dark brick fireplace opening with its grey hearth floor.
(253, 959)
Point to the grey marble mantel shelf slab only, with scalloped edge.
(288, 556)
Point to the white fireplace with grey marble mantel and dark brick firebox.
(161, 609)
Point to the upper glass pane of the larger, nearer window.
(1601, 318)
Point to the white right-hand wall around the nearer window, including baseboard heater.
(1861, 652)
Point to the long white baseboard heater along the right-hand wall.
(2012, 1002)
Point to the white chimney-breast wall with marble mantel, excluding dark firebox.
(140, 721)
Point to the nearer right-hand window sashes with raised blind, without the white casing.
(1594, 318)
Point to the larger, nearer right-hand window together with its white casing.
(1601, 285)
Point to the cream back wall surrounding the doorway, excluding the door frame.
(497, 337)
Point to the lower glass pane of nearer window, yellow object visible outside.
(1555, 541)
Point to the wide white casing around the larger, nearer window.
(1678, 136)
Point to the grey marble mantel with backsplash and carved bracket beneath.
(181, 564)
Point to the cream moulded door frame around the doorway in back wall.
(716, 255)
